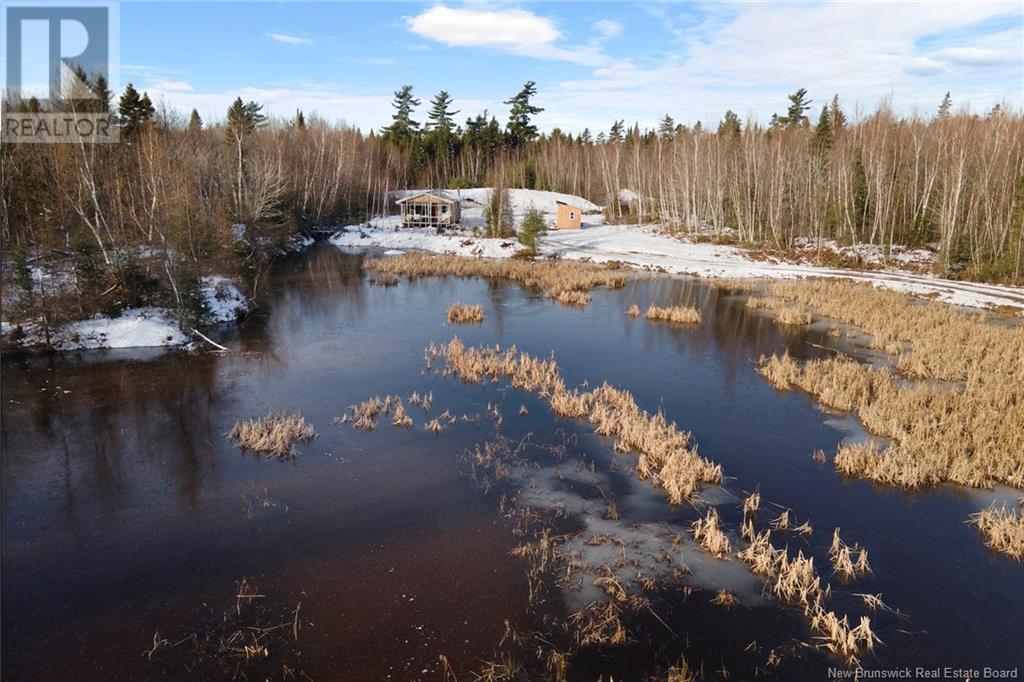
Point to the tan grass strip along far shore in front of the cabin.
(556, 278)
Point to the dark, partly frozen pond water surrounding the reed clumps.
(126, 513)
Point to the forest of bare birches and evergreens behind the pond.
(139, 223)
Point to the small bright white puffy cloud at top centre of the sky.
(516, 31)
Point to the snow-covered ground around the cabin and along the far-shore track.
(647, 247)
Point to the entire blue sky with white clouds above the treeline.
(593, 63)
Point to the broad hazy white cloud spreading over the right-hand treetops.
(750, 59)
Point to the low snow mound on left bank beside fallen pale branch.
(135, 329)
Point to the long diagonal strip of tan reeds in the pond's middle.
(664, 451)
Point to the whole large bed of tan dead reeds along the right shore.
(963, 420)
